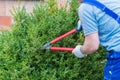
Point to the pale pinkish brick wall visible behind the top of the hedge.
(7, 5)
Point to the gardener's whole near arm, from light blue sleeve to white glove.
(90, 28)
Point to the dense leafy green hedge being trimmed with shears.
(21, 54)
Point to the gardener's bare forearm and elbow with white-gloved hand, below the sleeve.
(91, 44)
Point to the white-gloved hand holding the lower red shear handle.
(77, 52)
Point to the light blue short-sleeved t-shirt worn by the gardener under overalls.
(95, 20)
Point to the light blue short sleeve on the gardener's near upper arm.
(87, 17)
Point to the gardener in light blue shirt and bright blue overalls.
(100, 28)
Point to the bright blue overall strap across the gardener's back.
(103, 8)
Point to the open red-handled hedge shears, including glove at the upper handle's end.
(48, 45)
